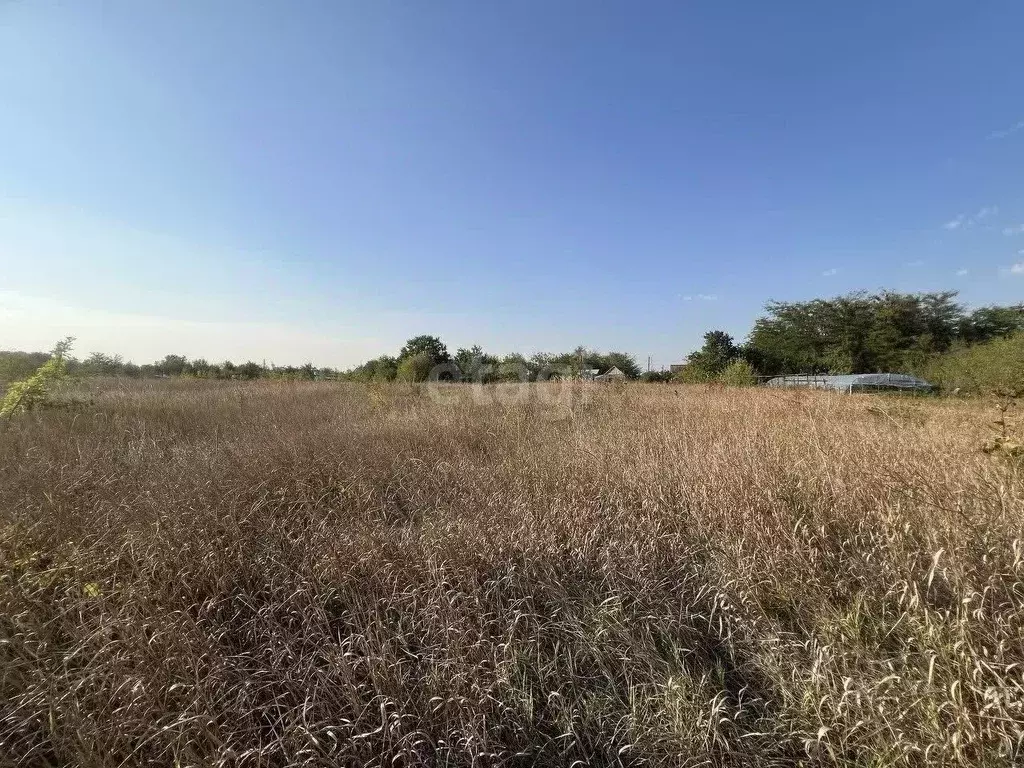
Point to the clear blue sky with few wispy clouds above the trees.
(321, 181)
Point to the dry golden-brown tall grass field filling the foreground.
(200, 574)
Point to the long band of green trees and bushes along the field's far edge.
(885, 332)
